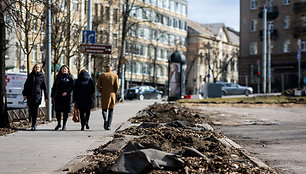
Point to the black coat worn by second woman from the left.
(63, 83)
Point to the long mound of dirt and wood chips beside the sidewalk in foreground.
(170, 139)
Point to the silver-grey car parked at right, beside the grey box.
(229, 88)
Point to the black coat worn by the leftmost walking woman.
(35, 83)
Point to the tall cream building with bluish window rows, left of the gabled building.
(160, 29)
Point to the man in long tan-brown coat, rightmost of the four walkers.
(108, 87)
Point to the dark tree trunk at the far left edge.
(4, 122)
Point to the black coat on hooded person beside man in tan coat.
(84, 89)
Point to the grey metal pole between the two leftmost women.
(49, 30)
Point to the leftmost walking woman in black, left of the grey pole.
(32, 92)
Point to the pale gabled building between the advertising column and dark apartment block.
(212, 55)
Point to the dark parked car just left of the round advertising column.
(143, 92)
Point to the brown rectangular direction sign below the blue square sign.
(96, 49)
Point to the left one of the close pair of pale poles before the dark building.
(264, 49)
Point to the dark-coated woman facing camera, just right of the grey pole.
(61, 95)
